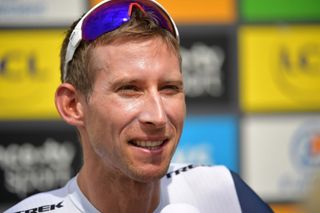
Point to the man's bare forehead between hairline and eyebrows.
(153, 56)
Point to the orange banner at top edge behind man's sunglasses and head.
(201, 11)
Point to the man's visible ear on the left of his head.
(69, 105)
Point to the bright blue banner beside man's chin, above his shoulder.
(209, 140)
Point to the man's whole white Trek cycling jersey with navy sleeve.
(207, 189)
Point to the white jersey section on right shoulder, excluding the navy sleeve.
(208, 188)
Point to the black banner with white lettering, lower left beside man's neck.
(33, 161)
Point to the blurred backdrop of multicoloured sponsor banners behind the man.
(252, 81)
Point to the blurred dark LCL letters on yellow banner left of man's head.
(16, 65)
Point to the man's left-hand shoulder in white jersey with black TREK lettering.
(42, 202)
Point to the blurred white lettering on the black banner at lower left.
(28, 168)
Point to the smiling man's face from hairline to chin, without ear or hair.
(134, 116)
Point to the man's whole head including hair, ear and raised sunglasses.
(123, 91)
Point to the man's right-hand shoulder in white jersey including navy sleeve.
(216, 189)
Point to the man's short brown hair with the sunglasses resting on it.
(137, 20)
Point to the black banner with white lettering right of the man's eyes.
(207, 67)
